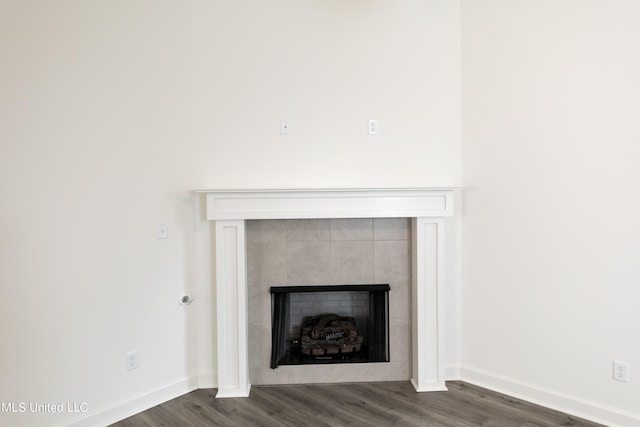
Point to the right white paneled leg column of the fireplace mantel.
(427, 304)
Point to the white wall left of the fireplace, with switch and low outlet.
(95, 117)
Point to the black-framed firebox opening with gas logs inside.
(329, 324)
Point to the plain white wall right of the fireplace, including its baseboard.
(551, 145)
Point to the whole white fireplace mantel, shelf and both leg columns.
(425, 207)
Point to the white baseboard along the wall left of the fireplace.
(135, 404)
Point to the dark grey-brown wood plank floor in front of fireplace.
(358, 404)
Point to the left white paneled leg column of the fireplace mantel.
(231, 313)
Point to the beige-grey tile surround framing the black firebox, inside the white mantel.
(308, 252)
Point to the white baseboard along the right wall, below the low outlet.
(551, 399)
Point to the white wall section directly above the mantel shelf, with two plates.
(327, 67)
